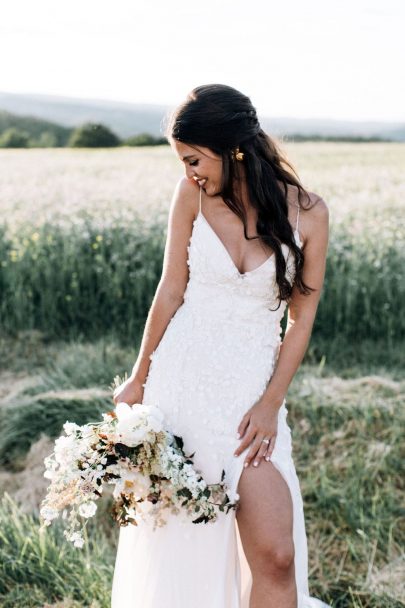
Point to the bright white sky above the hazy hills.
(297, 58)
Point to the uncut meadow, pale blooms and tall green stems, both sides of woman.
(82, 237)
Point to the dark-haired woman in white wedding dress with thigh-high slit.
(237, 252)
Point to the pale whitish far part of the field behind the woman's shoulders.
(39, 185)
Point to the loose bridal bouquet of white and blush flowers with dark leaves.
(145, 463)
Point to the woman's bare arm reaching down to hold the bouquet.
(170, 290)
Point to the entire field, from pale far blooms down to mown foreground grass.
(81, 244)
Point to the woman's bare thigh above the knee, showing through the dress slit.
(265, 516)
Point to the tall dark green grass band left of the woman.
(82, 280)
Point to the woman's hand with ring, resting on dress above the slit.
(260, 422)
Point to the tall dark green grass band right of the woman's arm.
(364, 291)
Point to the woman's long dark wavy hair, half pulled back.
(220, 118)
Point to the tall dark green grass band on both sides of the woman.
(87, 281)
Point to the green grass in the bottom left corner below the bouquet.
(38, 567)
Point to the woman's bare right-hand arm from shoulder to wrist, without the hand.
(302, 308)
